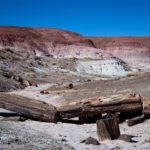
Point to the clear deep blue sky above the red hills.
(88, 17)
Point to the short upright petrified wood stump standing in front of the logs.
(108, 128)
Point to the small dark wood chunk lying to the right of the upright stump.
(136, 120)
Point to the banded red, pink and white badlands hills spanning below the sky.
(54, 55)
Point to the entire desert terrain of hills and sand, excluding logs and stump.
(60, 67)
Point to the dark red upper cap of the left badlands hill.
(39, 40)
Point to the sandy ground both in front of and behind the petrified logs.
(40, 134)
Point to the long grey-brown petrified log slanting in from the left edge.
(29, 108)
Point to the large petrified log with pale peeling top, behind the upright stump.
(93, 106)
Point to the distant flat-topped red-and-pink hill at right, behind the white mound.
(133, 50)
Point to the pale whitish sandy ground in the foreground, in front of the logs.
(39, 135)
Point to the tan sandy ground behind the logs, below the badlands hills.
(61, 95)
